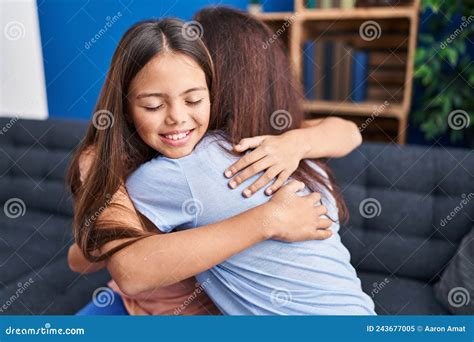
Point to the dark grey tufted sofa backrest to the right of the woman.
(413, 189)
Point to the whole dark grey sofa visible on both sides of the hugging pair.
(398, 243)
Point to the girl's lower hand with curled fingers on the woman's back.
(291, 217)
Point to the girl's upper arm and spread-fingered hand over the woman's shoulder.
(280, 155)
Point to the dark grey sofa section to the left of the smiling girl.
(35, 219)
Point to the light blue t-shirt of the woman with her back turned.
(270, 278)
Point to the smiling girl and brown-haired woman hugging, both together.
(202, 194)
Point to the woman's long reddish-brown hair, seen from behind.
(255, 92)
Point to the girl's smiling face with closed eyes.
(169, 104)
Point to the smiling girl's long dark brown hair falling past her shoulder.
(118, 150)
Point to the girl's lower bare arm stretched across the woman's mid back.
(165, 259)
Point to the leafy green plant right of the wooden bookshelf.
(445, 70)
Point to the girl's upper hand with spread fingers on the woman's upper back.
(277, 155)
